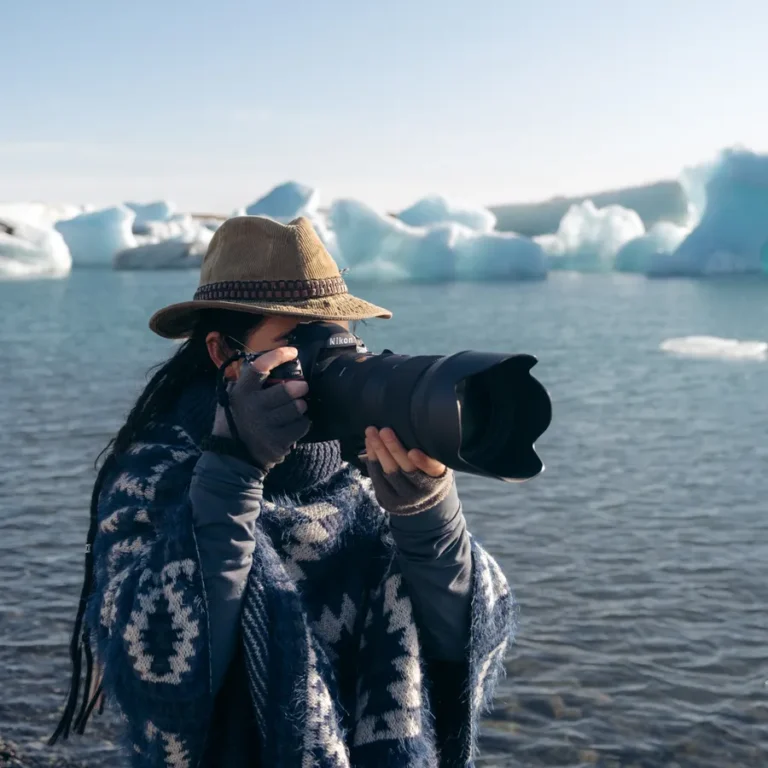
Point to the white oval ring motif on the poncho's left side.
(182, 622)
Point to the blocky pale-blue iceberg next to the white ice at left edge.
(95, 238)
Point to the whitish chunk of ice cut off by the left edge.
(27, 251)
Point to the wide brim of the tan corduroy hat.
(177, 321)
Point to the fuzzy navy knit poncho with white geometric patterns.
(334, 667)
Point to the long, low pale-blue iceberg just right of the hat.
(382, 247)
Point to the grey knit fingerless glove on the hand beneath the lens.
(407, 493)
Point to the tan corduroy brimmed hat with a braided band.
(258, 265)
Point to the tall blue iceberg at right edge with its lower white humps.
(726, 232)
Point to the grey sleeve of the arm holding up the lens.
(435, 558)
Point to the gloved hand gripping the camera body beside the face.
(269, 421)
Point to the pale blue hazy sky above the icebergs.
(209, 104)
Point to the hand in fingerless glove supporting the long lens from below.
(405, 482)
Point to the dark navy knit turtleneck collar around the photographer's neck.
(306, 466)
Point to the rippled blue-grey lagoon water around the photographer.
(640, 557)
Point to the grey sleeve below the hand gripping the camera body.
(226, 500)
